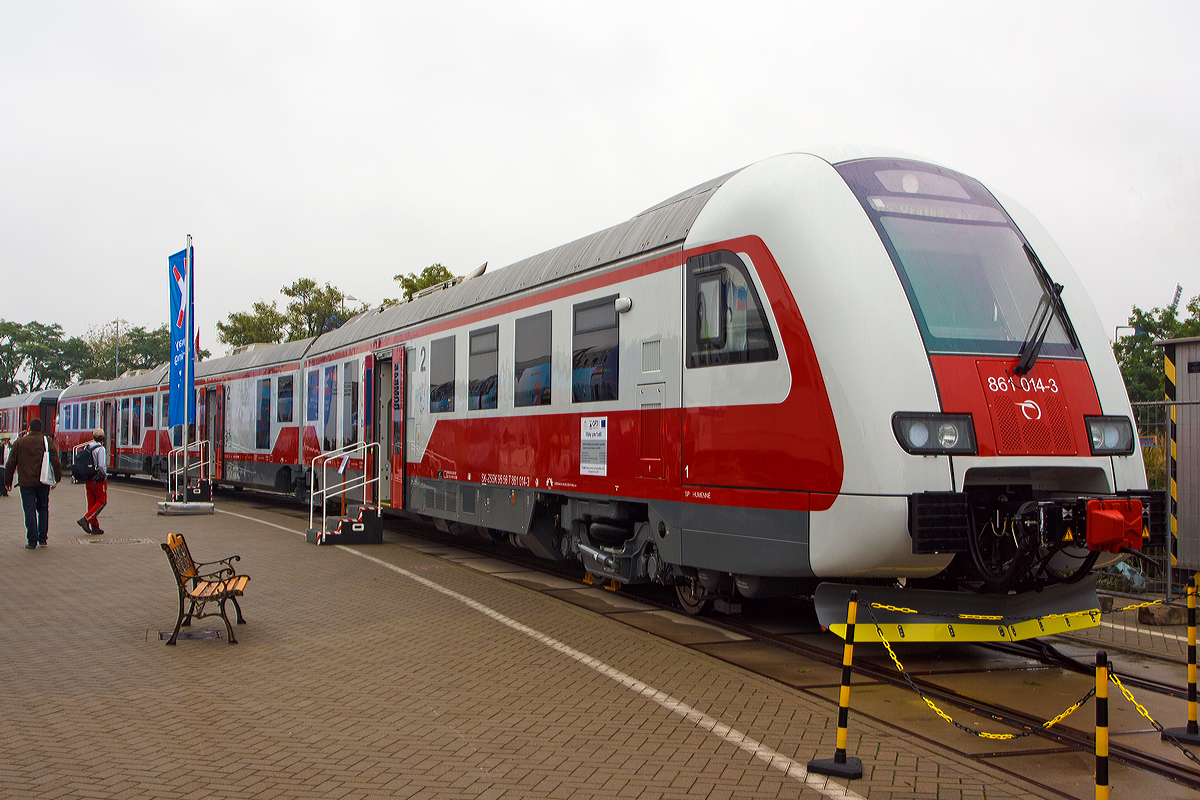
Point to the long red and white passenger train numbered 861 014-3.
(835, 368)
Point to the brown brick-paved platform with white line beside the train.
(386, 671)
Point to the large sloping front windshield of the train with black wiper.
(973, 286)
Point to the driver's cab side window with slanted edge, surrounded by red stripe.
(725, 318)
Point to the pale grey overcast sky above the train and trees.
(349, 142)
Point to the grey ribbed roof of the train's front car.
(661, 226)
